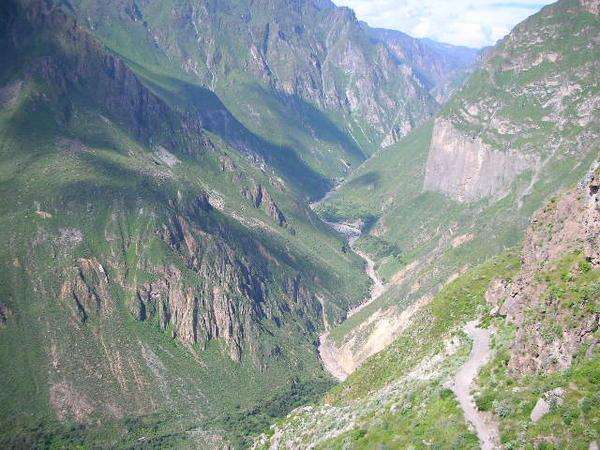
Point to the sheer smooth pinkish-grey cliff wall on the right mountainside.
(465, 168)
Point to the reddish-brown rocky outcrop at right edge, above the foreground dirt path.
(550, 331)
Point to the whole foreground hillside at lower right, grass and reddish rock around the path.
(540, 387)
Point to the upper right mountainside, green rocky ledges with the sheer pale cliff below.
(529, 104)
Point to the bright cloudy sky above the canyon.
(474, 23)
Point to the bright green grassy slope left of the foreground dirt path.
(397, 397)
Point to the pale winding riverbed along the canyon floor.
(330, 354)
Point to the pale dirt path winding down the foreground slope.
(486, 429)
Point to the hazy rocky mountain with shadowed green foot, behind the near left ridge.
(303, 76)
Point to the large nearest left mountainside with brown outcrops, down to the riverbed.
(159, 284)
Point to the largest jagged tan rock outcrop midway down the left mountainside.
(225, 305)
